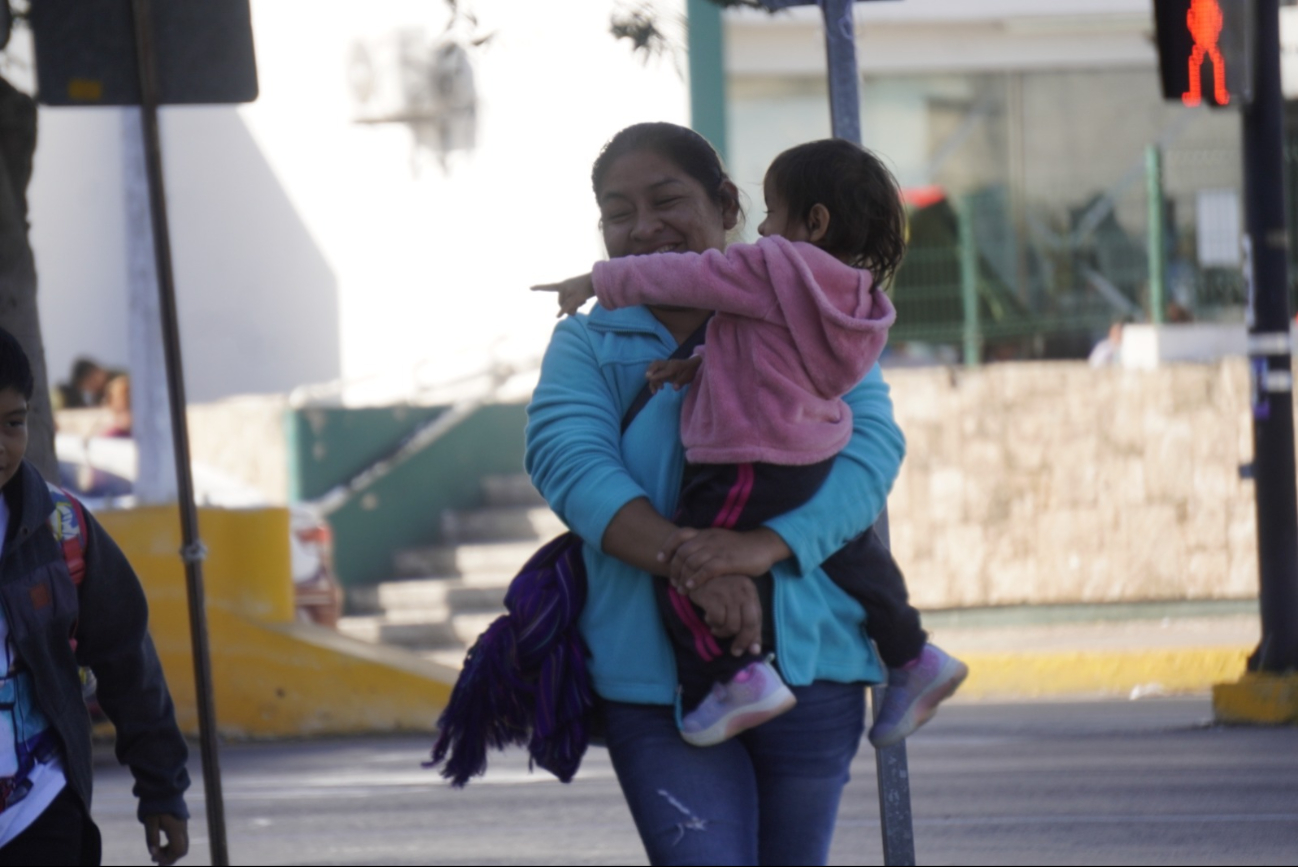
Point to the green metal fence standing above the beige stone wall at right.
(995, 281)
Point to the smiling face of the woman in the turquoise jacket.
(650, 206)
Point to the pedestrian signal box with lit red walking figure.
(1205, 51)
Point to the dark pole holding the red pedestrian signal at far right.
(1270, 351)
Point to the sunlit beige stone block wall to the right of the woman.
(1053, 482)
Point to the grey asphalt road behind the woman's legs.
(1094, 783)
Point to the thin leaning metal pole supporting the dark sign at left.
(193, 554)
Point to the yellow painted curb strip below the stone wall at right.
(1077, 673)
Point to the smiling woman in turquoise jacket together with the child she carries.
(779, 703)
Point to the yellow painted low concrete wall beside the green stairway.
(272, 676)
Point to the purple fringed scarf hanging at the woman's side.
(525, 679)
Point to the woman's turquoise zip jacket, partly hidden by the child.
(587, 472)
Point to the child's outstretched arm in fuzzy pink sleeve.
(735, 282)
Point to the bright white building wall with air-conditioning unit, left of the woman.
(310, 247)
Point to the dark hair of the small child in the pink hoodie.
(868, 219)
